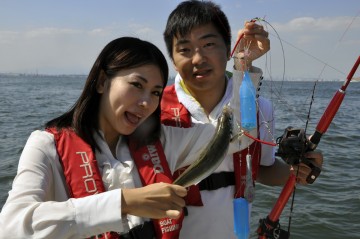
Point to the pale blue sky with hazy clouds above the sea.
(321, 38)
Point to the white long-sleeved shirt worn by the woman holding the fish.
(38, 205)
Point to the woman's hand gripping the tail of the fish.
(159, 200)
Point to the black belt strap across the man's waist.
(217, 180)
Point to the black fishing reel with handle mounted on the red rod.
(293, 145)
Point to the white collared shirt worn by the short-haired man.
(214, 220)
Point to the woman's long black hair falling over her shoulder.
(119, 54)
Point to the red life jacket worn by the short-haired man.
(175, 114)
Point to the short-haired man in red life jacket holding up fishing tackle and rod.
(198, 40)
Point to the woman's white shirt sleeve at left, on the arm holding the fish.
(38, 205)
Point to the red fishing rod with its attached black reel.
(291, 152)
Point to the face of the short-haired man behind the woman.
(200, 58)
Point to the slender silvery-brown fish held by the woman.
(214, 153)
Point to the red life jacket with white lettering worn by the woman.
(83, 177)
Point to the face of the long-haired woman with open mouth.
(128, 99)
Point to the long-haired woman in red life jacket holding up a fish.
(77, 178)
